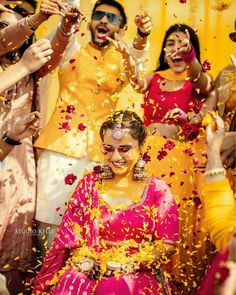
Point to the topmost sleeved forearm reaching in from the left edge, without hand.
(14, 36)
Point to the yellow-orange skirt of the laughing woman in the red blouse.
(177, 169)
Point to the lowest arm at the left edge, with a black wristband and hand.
(23, 128)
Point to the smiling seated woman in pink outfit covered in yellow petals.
(119, 227)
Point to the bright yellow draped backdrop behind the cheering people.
(213, 28)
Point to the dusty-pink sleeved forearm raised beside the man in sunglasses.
(59, 44)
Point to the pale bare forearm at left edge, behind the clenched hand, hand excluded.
(11, 75)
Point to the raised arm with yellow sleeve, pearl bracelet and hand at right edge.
(219, 200)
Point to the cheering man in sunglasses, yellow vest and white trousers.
(90, 82)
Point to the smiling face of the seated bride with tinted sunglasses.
(120, 155)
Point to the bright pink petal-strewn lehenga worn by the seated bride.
(91, 228)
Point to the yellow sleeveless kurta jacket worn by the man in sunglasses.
(91, 83)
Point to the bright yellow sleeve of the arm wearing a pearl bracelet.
(220, 207)
